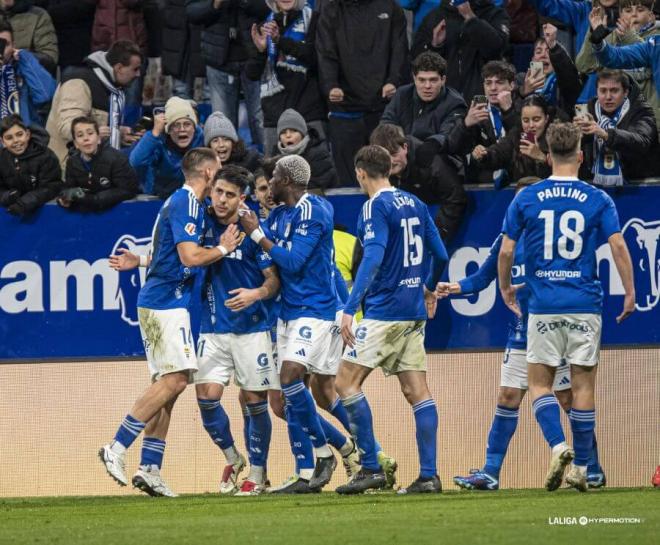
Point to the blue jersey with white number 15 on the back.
(401, 224)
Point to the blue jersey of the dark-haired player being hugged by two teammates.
(239, 269)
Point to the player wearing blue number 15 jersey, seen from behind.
(395, 230)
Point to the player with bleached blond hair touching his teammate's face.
(300, 243)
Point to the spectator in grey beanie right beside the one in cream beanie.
(220, 135)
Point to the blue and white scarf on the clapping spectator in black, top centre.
(296, 32)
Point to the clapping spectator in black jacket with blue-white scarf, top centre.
(284, 60)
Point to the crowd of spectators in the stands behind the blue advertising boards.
(456, 91)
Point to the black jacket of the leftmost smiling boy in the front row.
(35, 175)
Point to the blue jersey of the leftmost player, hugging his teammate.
(169, 284)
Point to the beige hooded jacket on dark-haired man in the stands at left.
(80, 93)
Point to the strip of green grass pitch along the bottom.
(505, 517)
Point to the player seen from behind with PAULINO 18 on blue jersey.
(563, 221)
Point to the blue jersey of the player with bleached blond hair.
(304, 255)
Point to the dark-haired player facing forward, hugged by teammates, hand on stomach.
(235, 336)
